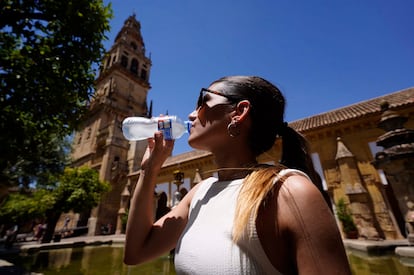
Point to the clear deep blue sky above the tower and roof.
(322, 54)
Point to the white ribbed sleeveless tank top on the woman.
(206, 246)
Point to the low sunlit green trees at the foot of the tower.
(78, 189)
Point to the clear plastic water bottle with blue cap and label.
(139, 128)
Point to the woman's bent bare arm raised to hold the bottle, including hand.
(146, 240)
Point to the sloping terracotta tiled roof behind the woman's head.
(371, 106)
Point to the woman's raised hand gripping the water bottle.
(158, 150)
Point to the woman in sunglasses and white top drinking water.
(253, 219)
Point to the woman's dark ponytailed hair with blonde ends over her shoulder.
(267, 116)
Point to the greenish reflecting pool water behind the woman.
(108, 260)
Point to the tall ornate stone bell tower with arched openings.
(121, 91)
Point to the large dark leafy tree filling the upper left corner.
(48, 55)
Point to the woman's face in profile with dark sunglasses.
(210, 120)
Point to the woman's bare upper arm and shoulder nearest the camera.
(318, 247)
